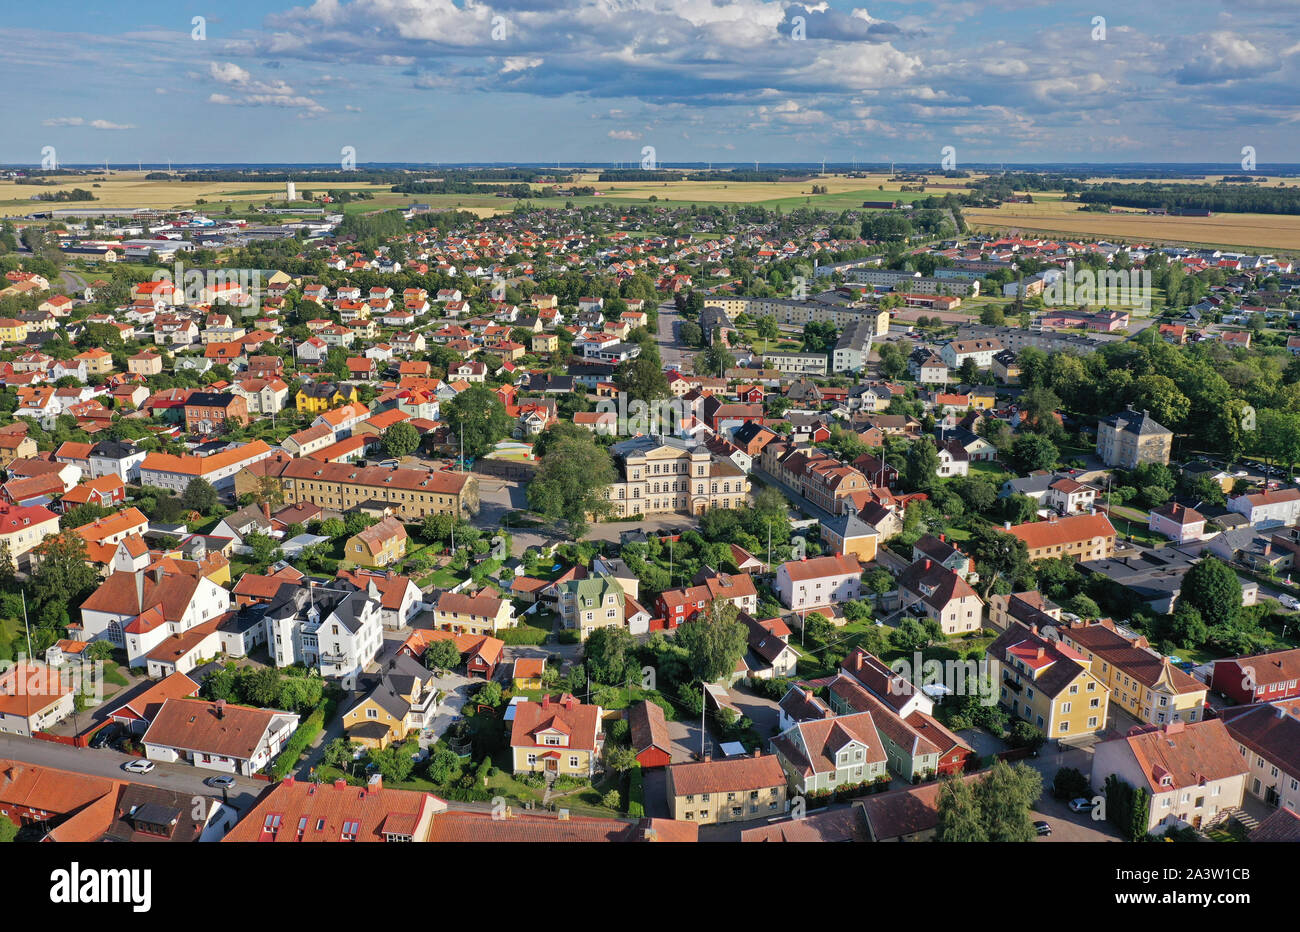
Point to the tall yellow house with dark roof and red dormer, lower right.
(1048, 684)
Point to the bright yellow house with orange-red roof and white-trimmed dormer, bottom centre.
(556, 736)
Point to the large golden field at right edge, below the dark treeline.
(1056, 218)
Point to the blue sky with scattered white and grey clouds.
(596, 81)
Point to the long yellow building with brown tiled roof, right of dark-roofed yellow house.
(1145, 683)
